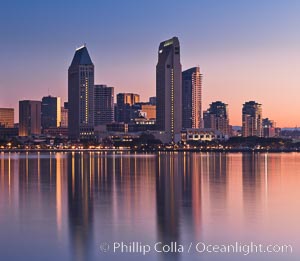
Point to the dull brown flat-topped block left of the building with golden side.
(29, 118)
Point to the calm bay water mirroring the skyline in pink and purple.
(64, 206)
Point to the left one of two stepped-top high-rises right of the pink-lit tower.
(217, 118)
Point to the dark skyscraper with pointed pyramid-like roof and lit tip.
(81, 96)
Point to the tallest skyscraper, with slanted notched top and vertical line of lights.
(169, 90)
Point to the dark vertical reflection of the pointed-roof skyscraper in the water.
(80, 204)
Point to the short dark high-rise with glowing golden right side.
(51, 112)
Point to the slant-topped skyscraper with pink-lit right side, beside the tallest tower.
(192, 98)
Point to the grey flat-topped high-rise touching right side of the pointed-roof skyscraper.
(104, 104)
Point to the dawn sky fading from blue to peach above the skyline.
(247, 50)
